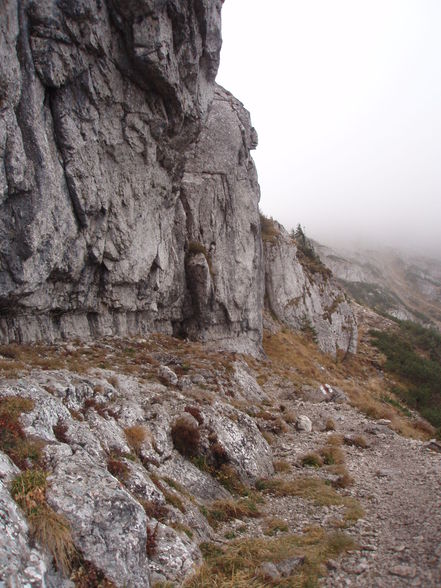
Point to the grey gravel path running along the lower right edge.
(398, 481)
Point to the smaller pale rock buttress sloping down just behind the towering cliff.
(302, 299)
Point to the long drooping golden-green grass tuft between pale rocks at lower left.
(45, 525)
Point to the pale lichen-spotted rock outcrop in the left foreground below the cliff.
(158, 488)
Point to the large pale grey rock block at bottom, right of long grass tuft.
(107, 522)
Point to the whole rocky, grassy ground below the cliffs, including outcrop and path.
(279, 481)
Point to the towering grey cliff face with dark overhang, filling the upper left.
(115, 158)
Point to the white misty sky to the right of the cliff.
(346, 98)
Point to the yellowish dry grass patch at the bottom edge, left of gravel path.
(234, 566)
